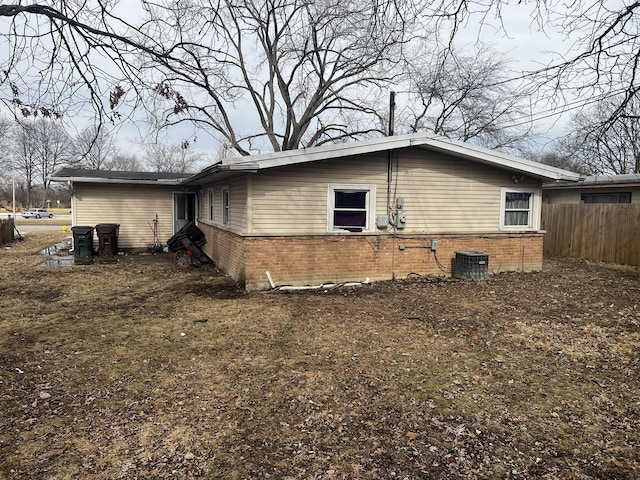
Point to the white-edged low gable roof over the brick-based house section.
(425, 141)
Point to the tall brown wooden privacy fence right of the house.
(598, 232)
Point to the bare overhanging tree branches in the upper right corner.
(600, 53)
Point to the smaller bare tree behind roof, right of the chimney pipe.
(467, 98)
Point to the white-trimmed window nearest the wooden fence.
(519, 209)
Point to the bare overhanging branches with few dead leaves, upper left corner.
(60, 56)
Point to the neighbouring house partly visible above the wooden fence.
(595, 189)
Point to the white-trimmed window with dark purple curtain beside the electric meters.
(351, 208)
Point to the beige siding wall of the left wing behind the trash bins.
(133, 207)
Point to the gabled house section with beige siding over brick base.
(371, 210)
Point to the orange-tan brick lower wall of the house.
(313, 260)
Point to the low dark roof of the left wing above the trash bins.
(81, 175)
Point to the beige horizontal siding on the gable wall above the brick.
(442, 194)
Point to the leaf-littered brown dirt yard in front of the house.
(143, 370)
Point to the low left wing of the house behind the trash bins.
(130, 199)
